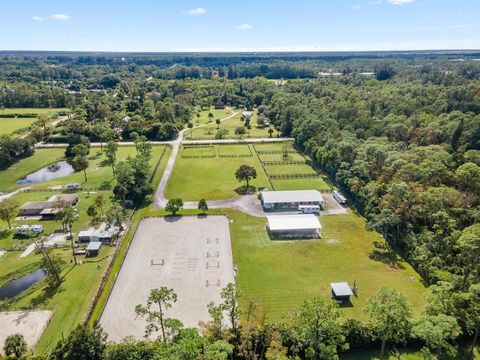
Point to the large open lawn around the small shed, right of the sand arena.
(282, 274)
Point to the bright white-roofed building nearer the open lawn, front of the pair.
(294, 226)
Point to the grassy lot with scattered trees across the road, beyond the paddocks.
(209, 131)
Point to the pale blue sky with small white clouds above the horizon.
(239, 25)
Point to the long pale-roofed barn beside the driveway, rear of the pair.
(291, 199)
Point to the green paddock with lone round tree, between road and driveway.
(210, 178)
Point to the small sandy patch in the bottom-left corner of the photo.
(29, 323)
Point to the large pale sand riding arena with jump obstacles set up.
(190, 254)
